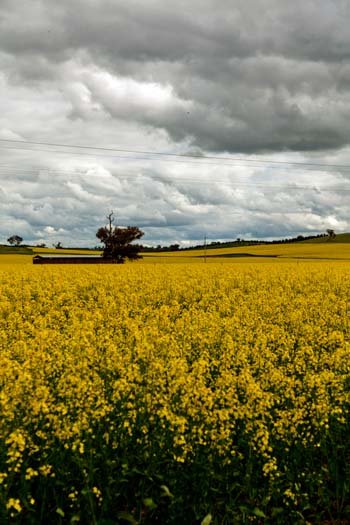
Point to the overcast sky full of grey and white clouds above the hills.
(265, 80)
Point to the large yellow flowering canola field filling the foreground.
(175, 393)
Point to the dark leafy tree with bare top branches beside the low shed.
(117, 241)
